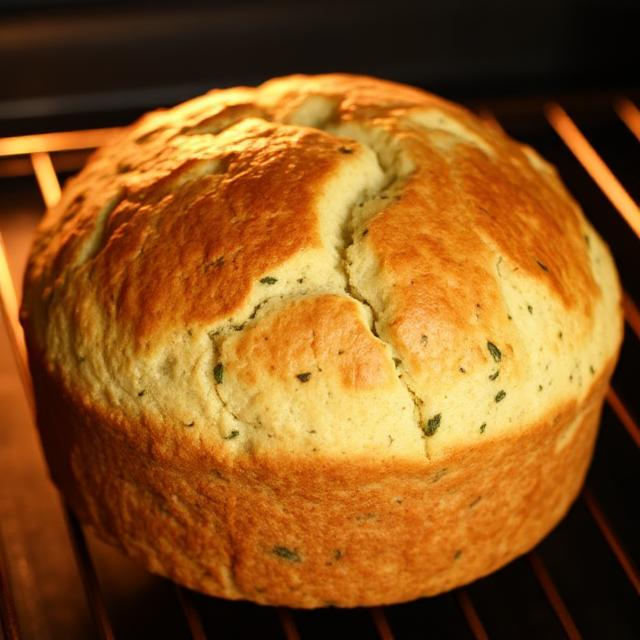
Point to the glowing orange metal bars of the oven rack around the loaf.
(39, 150)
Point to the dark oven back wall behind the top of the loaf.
(68, 63)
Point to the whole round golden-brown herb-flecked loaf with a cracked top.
(328, 341)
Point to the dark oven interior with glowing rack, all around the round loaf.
(58, 581)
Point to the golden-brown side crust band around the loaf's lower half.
(312, 532)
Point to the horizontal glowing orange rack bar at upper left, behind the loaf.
(59, 141)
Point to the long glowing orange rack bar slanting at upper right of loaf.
(595, 166)
